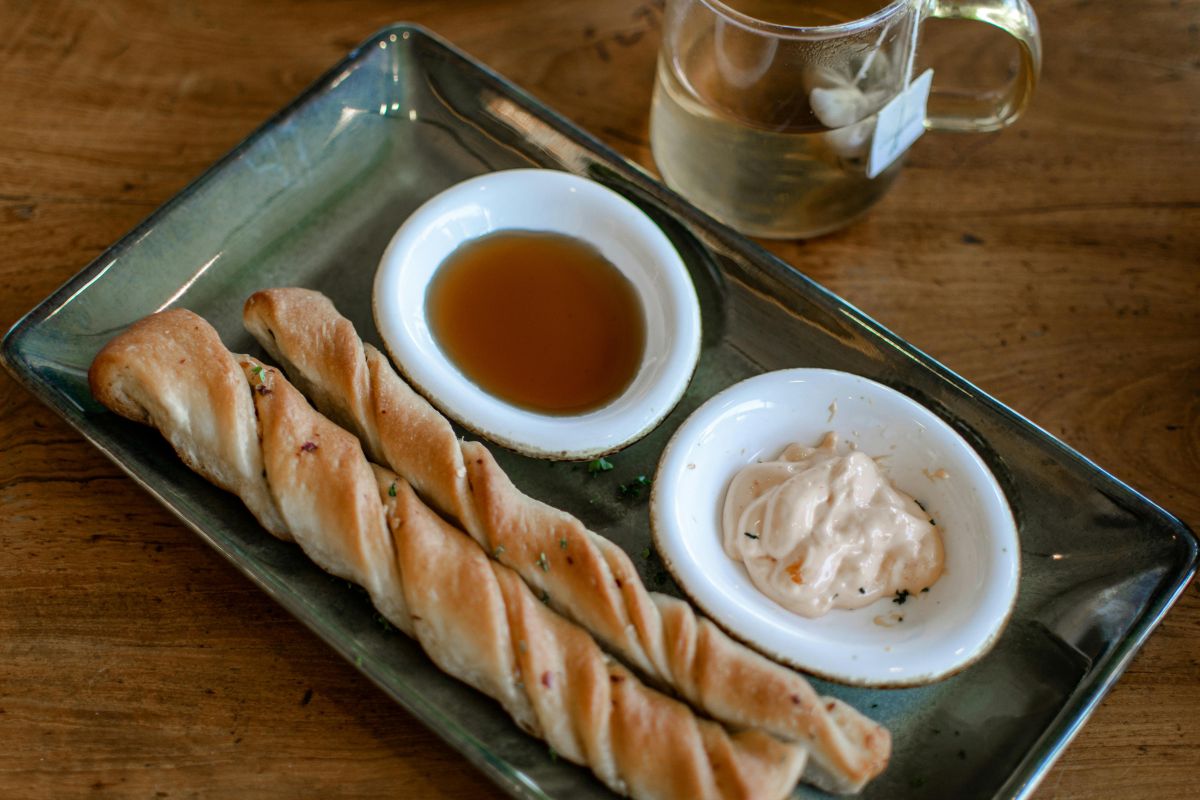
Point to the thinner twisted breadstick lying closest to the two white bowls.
(589, 579)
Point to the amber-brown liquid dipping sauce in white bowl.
(541, 321)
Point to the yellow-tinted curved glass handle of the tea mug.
(976, 113)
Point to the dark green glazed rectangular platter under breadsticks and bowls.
(313, 199)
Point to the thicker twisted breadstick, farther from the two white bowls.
(477, 619)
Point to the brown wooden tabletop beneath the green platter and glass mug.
(1057, 266)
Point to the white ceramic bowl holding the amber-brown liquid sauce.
(555, 202)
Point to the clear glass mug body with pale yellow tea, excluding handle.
(770, 134)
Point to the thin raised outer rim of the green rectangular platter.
(1042, 755)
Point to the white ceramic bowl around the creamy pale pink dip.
(944, 630)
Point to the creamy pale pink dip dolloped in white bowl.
(818, 530)
